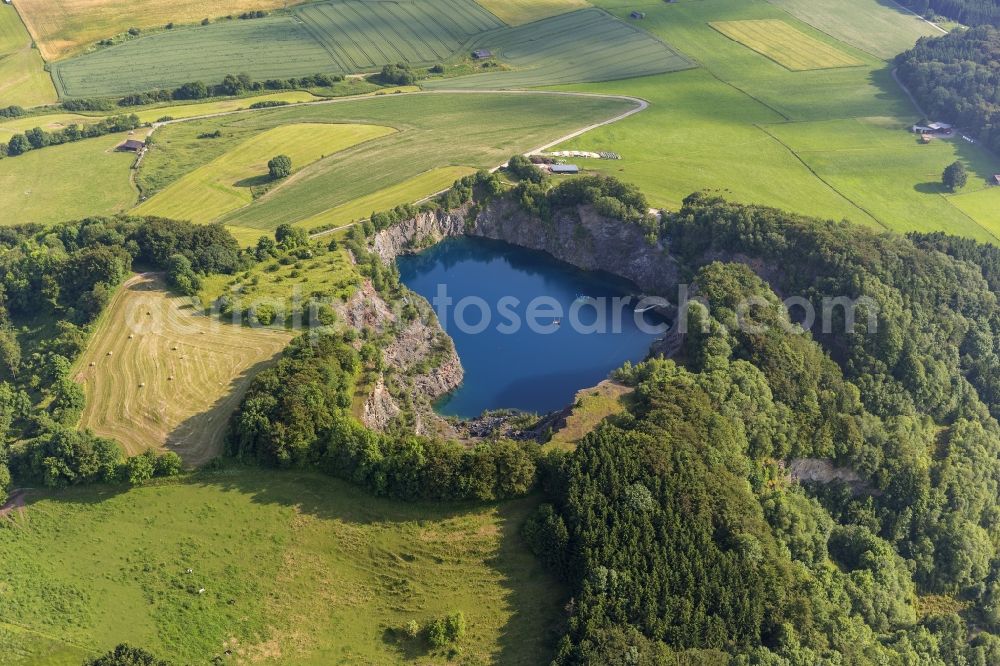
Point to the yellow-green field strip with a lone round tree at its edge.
(225, 184)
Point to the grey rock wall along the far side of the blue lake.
(578, 236)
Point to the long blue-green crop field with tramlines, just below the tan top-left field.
(336, 37)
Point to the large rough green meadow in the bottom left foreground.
(296, 568)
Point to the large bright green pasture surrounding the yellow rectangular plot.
(716, 128)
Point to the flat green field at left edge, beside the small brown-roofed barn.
(67, 182)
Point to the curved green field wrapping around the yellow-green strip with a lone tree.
(433, 130)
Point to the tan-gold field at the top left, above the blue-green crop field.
(64, 27)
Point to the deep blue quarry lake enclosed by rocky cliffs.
(530, 331)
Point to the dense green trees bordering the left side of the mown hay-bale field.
(54, 283)
